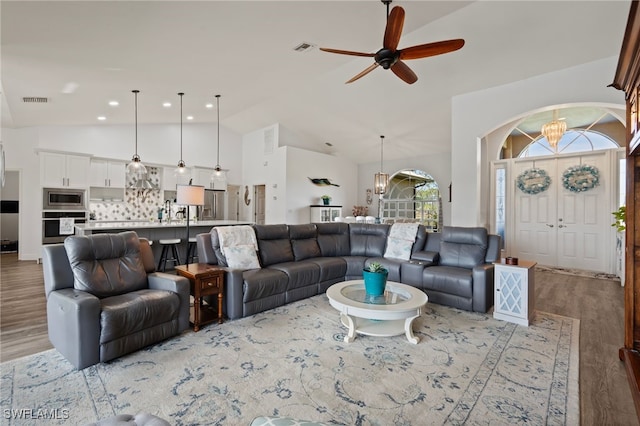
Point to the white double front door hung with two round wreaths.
(560, 227)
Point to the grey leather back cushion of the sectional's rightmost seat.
(463, 247)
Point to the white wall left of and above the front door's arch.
(476, 114)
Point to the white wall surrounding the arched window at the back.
(437, 165)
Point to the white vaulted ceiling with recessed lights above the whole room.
(81, 55)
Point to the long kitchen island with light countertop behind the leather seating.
(154, 231)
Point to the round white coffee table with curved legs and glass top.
(388, 315)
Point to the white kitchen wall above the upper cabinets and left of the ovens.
(157, 144)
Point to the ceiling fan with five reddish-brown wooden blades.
(390, 57)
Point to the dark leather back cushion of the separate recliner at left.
(106, 264)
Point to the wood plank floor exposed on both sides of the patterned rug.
(605, 398)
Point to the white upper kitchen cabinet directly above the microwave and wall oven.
(63, 170)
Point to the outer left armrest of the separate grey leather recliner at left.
(73, 319)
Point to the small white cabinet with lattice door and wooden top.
(514, 293)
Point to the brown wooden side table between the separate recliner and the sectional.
(206, 280)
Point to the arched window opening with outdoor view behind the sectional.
(413, 196)
